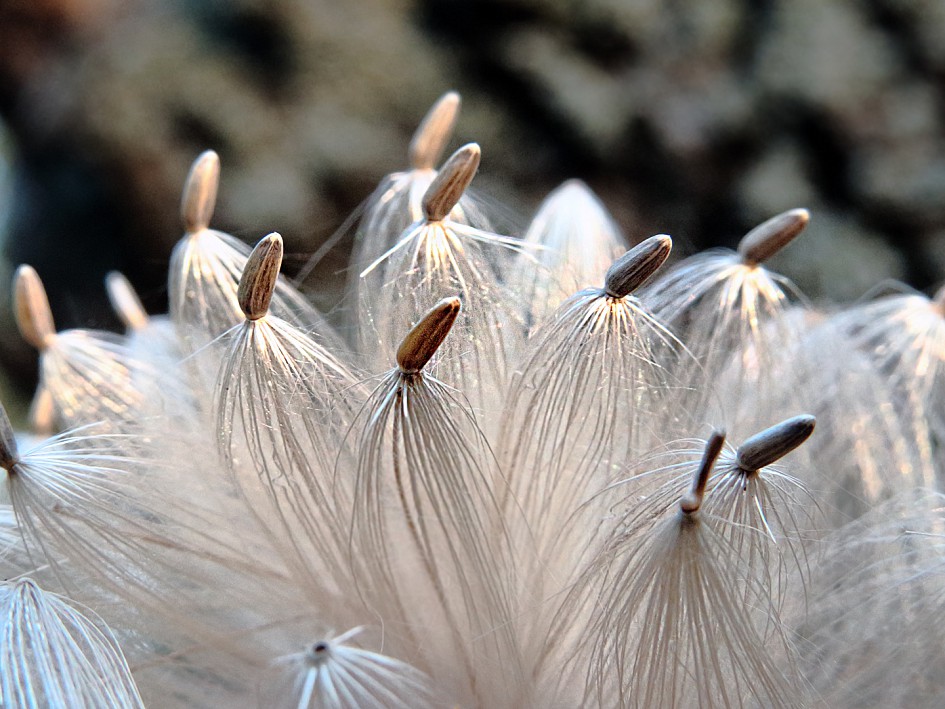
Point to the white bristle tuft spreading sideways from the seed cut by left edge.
(82, 502)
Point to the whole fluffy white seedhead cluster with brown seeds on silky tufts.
(498, 478)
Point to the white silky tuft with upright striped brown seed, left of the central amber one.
(283, 401)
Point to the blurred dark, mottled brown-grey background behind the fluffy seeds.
(698, 119)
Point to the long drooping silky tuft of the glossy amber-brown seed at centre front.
(427, 529)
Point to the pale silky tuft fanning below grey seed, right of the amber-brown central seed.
(591, 389)
